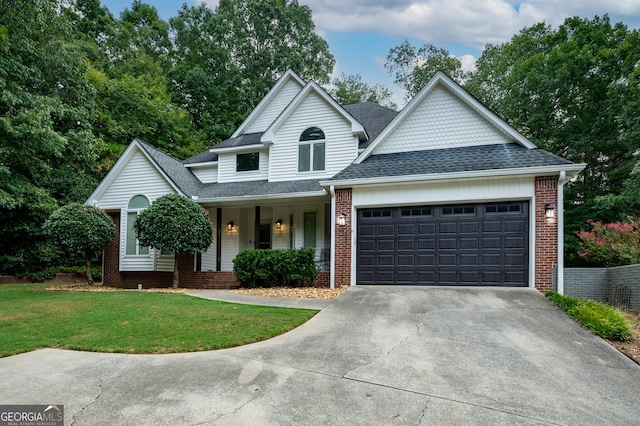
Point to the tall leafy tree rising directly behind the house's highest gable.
(227, 60)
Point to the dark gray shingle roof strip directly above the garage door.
(450, 160)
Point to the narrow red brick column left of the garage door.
(343, 244)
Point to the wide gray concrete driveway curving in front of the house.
(375, 356)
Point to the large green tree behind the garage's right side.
(571, 90)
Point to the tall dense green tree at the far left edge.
(48, 152)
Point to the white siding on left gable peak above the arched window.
(138, 176)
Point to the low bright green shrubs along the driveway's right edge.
(603, 320)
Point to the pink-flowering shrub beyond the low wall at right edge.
(611, 244)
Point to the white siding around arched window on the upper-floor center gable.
(341, 145)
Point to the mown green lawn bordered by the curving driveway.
(132, 322)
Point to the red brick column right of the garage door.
(546, 232)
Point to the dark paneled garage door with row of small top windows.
(476, 245)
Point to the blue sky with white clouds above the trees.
(361, 32)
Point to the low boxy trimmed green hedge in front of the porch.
(275, 268)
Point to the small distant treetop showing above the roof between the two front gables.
(350, 89)
